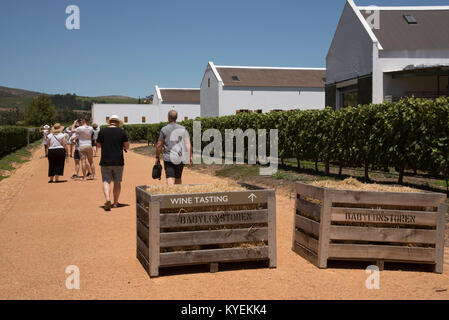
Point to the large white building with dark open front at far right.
(384, 53)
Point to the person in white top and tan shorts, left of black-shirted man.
(84, 133)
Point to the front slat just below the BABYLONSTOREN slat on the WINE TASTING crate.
(193, 238)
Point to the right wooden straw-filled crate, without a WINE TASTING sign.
(369, 226)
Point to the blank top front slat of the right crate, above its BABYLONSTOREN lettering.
(387, 198)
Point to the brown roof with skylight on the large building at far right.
(394, 33)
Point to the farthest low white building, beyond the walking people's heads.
(185, 101)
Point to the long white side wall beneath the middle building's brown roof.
(267, 99)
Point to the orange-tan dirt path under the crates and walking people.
(46, 227)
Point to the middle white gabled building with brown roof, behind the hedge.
(227, 90)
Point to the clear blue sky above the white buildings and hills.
(127, 47)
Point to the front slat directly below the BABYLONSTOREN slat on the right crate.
(382, 234)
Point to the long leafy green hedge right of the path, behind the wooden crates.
(412, 134)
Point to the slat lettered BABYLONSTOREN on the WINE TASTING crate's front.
(219, 218)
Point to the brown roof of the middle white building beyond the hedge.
(271, 77)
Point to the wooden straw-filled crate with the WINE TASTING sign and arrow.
(167, 235)
